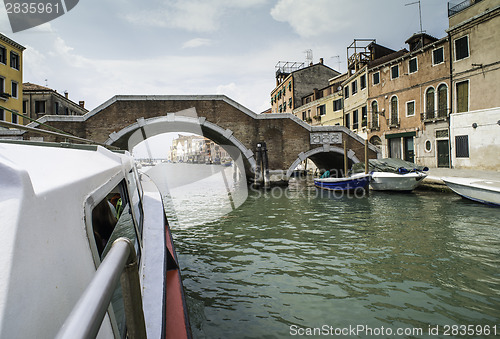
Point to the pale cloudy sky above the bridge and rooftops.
(103, 48)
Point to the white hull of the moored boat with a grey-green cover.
(387, 181)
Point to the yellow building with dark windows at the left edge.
(11, 79)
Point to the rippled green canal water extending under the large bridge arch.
(293, 261)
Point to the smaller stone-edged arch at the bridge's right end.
(317, 152)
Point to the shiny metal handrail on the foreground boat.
(86, 318)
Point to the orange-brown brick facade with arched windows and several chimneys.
(409, 102)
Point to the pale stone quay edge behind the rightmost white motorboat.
(433, 180)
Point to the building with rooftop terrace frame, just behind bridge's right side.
(294, 81)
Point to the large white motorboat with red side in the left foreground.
(73, 219)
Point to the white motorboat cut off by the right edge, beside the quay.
(480, 190)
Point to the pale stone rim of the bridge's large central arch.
(132, 135)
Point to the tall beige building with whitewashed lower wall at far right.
(474, 26)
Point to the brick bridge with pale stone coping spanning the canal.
(124, 121)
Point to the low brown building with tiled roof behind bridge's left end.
(39, 101)
